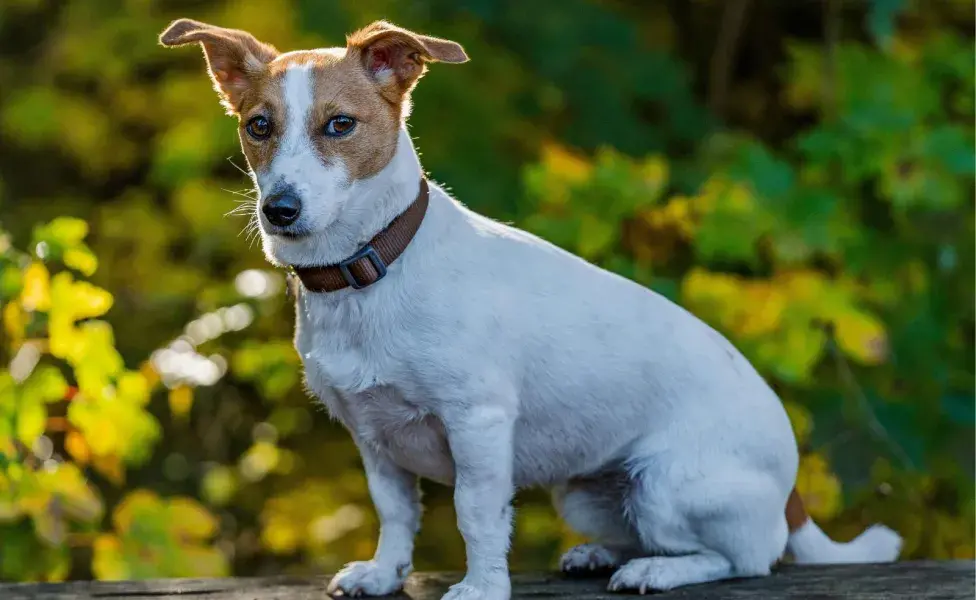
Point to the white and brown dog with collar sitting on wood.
(471, 353)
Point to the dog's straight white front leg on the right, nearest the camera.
(480, 438)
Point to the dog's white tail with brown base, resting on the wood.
(810, 545)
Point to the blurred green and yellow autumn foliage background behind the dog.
(798, 174)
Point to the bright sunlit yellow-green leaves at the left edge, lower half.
(101, 416)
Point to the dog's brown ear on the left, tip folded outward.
(234, 57)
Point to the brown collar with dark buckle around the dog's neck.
(368, 265)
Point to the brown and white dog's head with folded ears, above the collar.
(316, 126)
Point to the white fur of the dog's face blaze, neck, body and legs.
(489, 359)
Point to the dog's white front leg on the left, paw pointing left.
(396, 498)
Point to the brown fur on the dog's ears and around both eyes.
(369, 80)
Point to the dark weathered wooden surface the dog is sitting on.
(907, 580)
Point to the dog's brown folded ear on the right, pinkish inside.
(396, 58)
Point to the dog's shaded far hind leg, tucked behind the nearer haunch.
(594, 507)
